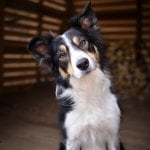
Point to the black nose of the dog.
(83, 64)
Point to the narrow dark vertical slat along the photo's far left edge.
(2, 4)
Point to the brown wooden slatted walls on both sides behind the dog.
(22, 19)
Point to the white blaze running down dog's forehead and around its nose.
(75, 55)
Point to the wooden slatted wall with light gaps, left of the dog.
(23, 20)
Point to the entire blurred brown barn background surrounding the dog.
(28, 108)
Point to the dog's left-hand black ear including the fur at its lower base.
(39, 47)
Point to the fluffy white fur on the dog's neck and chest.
(94, 121)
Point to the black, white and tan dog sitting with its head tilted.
(89, 115)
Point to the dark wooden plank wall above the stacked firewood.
(118, 18)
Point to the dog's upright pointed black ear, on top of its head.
(86, 20)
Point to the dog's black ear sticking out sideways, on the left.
(39, 46)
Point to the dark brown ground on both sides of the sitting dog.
(28, 121)
